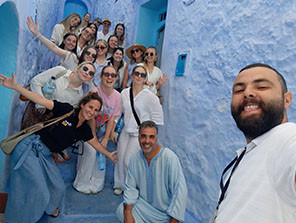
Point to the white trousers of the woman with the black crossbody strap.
(127, 146)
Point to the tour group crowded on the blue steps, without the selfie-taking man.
(94, 89)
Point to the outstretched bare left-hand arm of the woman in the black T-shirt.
(12, 84)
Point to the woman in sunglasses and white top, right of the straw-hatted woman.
(155, 77)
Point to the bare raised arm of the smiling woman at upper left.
(34, 28)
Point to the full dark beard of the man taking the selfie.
(254, 126)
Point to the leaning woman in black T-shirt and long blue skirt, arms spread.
(36, 185)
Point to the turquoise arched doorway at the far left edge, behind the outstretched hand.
(8, 53)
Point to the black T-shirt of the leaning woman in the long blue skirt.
(63, 134)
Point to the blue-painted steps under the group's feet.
(78, 207)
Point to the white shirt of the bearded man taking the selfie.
(262, 188)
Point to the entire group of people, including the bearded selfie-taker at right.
(97, 88)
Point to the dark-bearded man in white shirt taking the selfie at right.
(260, 186)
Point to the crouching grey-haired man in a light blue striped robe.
(155, 185)
